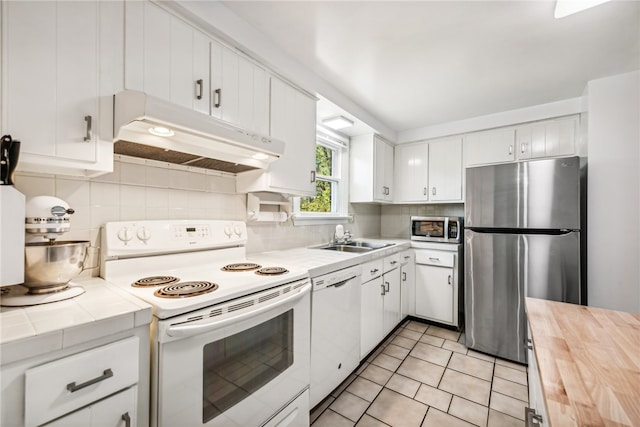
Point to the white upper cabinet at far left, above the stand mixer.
(59, 81)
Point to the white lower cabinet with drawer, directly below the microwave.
(437, 286)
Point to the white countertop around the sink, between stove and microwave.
(321, 261)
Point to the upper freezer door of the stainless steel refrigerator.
(539, 194)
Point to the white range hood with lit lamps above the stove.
(151, 128)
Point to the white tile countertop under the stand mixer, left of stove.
(100, 311)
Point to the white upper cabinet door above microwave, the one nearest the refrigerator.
(445, 169)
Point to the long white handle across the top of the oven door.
(207, 325)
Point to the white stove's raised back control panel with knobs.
(134, 238)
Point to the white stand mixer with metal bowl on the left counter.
(49, 264)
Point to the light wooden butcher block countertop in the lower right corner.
(589, 363)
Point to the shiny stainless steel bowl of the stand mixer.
(48, 267)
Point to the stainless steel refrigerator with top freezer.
(524, 236)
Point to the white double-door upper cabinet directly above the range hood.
(170, 59)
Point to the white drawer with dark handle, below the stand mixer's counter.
(62, 386)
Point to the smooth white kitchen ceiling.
(421, 63)
